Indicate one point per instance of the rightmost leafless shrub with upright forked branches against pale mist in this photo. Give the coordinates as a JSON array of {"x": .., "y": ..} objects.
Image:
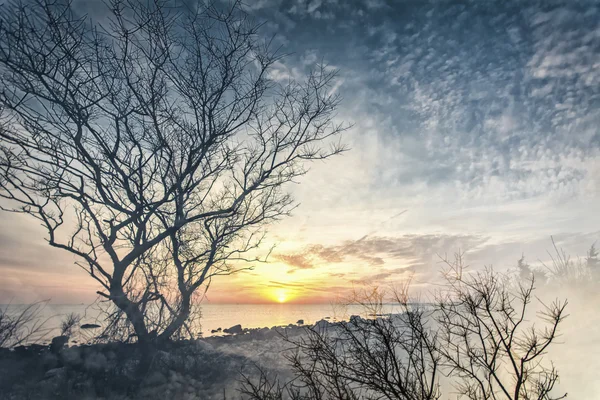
[{"x": 486, "y": 341}]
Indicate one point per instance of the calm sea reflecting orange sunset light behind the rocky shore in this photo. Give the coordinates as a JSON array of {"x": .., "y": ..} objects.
[{"x": 215, "y": 316}]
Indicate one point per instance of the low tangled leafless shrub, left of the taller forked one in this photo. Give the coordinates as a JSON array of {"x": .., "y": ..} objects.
[{"x": 390, "y": 357}]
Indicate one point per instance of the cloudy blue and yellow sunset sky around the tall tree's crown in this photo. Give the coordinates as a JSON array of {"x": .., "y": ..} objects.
[{"x": 475, "y": 129}]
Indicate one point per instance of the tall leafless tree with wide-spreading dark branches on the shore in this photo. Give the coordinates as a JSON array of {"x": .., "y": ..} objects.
[{"x": 153, "y": 145}]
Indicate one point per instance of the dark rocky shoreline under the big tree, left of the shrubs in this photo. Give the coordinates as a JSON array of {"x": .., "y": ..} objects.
[{"x": 206, "y": 368}]
